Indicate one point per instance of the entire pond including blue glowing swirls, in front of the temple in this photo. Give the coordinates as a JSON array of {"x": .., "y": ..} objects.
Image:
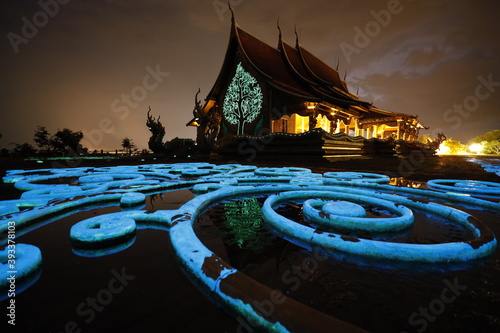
[{"x": 212, "y": 251}]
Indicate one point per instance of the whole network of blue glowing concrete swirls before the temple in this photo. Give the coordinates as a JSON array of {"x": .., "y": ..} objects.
[{"x": 334, "y": 204}]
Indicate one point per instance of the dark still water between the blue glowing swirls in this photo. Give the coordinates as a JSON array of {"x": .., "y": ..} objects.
[{"x": 143, "y": 288}]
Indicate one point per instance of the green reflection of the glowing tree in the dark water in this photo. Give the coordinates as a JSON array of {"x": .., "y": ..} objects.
[{"x": 244, "y": 224}]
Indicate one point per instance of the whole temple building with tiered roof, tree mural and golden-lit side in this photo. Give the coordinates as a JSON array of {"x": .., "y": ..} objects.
[{"x": 284, "y": 92}]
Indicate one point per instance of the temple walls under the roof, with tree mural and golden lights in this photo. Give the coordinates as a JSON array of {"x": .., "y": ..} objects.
[{"x": 250, "y": 106}]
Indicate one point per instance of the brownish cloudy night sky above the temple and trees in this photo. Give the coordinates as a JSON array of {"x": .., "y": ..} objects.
[{"x": 96, "y": 66}]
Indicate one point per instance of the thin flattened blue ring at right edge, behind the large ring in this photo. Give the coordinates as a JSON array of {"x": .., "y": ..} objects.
[{"x": 473, "y": 187}]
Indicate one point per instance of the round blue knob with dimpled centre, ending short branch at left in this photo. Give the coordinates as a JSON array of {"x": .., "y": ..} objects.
[{"x": 102, "y": 231}]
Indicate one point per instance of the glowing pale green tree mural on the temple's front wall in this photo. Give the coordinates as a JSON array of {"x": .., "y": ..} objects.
[{"x": 243, "y": 99}]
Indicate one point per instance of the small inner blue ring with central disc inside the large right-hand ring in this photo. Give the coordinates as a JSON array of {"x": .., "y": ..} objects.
[{"x": 351, "y": 216}]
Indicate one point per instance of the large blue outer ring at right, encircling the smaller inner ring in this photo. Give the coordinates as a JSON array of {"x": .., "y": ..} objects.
[{"x": 308, "y": 237}]
